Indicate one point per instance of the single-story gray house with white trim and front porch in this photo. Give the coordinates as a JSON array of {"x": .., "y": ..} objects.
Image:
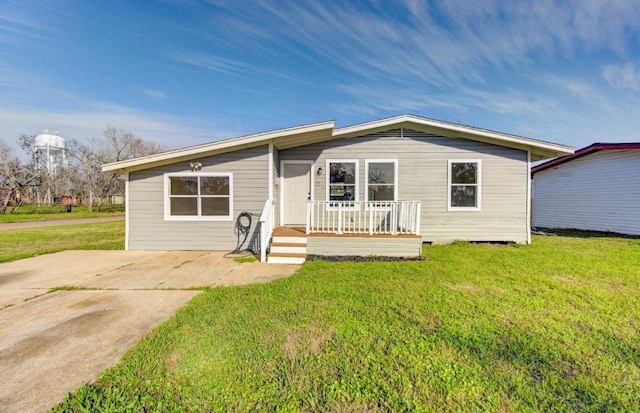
[{"x": 378, "y": 188}]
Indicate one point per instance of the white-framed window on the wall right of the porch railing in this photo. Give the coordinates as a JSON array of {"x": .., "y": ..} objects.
[{"x": 464, "y": 185}]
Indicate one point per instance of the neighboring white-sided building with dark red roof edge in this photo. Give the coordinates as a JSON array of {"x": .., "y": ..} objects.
[{"x": 597, "y": 189}]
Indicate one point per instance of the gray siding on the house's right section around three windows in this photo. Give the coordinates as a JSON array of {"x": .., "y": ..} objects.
[{"x": 423, "y": 168}]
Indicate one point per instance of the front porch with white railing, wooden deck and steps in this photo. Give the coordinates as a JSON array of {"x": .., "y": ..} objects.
[{"x": 345, "y": 228}]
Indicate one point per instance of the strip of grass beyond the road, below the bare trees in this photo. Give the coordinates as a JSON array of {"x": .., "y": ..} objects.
[{"x": 45, "y": 213}]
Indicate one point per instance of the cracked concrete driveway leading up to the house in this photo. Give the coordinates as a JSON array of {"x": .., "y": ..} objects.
[{"x": 52, "y": 342}]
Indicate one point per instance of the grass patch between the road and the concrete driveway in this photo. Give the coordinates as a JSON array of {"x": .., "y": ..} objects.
[{"x": 23, "y": 243}]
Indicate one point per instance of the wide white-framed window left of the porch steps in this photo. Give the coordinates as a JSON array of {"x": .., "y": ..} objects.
[{"x": 198, "y": 197}]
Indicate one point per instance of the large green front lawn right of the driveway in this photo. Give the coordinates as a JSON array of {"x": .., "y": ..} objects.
[{"x": 554, "y": 326}]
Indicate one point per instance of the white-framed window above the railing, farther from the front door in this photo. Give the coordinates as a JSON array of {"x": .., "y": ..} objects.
[{"x": 382, "y": 180}]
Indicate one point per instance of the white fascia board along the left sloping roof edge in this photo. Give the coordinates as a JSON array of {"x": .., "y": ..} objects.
[{"x": 226, "y": 145}]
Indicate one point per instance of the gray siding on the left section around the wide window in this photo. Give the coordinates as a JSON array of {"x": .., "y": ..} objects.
[{"x": 149, "y": 231}]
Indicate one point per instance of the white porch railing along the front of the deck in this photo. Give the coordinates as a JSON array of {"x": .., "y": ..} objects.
[{"x": 367, "y": 218}]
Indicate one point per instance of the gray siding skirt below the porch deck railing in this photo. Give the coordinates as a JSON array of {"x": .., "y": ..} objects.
[{"x": 364, "y": 246}]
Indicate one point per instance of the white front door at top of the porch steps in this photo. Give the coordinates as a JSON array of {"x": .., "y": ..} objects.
[{"x": 296, "y": 189}]
